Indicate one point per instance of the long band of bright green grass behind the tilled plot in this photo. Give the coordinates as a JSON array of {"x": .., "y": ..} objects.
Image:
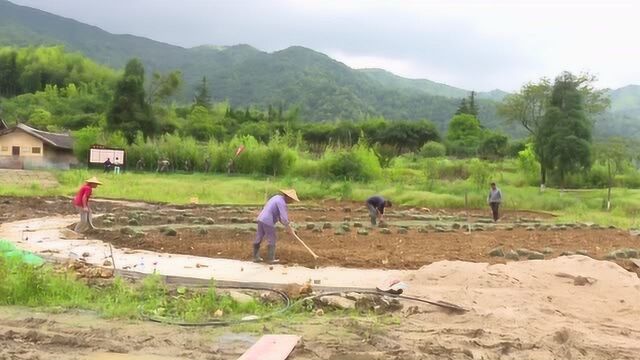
[{"x": 410, "y": 189}]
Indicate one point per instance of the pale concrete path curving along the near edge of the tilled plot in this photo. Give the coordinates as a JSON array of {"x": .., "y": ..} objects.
[{"x": 49, "y": 236}]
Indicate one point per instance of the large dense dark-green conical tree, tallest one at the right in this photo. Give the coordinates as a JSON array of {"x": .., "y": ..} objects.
[{"x": 565, "y": 136}]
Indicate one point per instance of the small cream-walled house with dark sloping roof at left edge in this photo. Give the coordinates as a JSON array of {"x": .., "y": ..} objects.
[{"x": 23, "y": 147}]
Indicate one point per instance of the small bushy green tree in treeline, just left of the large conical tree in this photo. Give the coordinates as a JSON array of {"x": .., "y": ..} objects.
[{"x": 464, "y": 135}]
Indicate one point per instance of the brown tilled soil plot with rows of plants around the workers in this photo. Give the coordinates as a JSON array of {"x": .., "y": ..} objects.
[{"x": 341, "y": 235}]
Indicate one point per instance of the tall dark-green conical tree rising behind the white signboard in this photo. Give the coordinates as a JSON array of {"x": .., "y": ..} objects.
[{"x": 129, "y": 111}]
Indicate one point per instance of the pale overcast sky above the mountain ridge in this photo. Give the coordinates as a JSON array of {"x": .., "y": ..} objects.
[{"x": 474, "y": 44}]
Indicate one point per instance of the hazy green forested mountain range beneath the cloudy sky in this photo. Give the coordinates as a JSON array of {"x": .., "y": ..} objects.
[{"x": 322, "y": 88}]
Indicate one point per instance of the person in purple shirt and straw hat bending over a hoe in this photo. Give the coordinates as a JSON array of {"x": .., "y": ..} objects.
[{"x": 274, "y": 210}]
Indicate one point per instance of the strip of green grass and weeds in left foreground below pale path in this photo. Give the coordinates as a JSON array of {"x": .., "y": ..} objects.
[{"x": 26, "y": 285}]
